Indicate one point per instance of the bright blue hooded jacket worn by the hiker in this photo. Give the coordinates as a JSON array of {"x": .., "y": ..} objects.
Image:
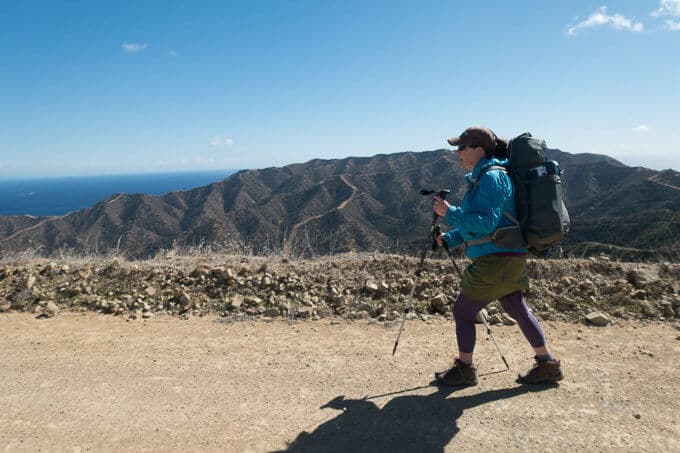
[{"x": 481, "y": 210}]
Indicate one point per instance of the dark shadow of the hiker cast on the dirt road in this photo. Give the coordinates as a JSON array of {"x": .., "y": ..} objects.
[{"x": 424, "y": 423}]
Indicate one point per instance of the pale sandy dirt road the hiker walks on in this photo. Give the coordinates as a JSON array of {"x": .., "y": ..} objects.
[{"x": 92, "y": 382}]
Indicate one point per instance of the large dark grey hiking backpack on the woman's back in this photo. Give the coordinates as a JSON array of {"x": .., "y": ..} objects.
[{"x": 542, "y": 215}]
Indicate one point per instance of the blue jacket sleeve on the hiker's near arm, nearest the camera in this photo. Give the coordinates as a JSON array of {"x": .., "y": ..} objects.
[{"x": 484, "y": 207}]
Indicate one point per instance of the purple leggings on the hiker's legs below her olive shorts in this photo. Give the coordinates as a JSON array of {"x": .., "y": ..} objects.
[{"x": 465, "y": 310}]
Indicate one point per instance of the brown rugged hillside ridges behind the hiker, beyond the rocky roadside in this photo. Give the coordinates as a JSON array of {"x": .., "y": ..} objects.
[{"x": 353, "y": 204}]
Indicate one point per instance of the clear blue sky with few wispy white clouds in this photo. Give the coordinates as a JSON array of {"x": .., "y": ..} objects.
[{"x": 91, "y": 87}]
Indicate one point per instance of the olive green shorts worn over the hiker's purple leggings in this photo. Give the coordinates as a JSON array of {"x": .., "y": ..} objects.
[{"x": 491, "y": 277}]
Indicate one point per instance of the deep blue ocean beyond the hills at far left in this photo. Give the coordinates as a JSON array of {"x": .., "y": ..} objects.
[{"x": 57, "y": 196}]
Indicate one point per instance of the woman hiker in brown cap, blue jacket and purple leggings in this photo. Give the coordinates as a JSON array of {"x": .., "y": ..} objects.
[{"x": 495, "y": 272}]
